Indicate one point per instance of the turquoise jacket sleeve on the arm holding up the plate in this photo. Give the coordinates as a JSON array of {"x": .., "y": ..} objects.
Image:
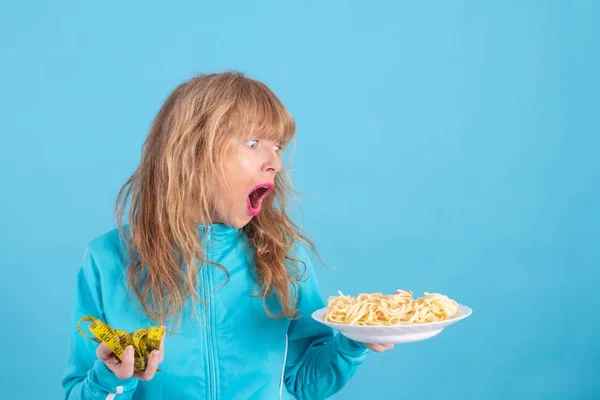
[{"x": 319, "y": 362}]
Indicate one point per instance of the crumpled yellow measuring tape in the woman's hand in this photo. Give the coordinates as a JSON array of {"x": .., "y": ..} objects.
[{"x": 143, "y": 340}]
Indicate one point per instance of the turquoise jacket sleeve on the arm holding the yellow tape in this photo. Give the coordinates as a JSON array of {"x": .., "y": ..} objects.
[{"x": 85, "y": 376}]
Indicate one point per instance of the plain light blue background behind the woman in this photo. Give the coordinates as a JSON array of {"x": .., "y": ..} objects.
[{"x": 442, "y": 146}]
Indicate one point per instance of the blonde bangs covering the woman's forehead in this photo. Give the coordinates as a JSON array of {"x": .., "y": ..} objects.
[{"x": 258, "y": 113}]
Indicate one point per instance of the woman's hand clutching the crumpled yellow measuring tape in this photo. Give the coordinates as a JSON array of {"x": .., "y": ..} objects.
[{"x": 124, "y": 369}]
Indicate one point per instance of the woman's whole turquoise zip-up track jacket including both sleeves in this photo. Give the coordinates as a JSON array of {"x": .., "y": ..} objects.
[{"x": 238, "y": 352}]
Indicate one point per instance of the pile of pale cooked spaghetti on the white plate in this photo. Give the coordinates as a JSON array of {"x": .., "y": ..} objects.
[{"x": 376, "y": 309}]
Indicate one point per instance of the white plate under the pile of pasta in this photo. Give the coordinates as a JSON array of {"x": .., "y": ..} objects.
[{"x": 393, "y": 334}]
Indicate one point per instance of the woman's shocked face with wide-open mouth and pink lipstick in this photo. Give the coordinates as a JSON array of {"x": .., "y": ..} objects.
[{"x": 250, "y": 167}]
